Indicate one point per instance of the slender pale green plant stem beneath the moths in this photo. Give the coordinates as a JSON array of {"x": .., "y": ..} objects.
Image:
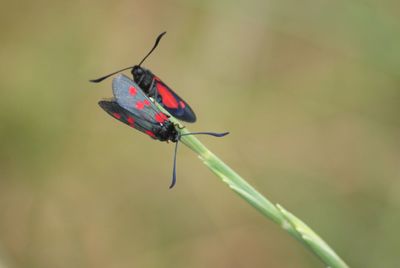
[{"x": 293, "y": 225}]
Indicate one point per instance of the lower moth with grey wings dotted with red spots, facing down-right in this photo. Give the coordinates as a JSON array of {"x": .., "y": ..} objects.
[{"x": 131, "y": 106}]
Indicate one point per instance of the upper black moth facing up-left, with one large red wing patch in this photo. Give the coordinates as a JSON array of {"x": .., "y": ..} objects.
[{"x": 158, "y": 90}]
